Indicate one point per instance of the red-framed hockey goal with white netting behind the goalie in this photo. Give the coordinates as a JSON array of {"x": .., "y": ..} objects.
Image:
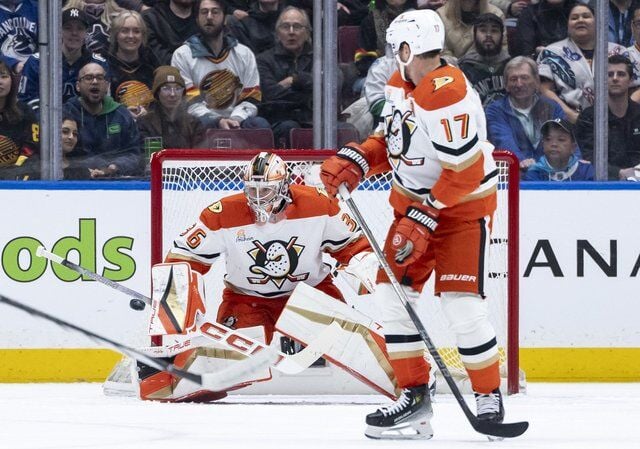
[{"x": 184, "y": 182}]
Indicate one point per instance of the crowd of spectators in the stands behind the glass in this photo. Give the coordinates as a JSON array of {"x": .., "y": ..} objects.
[{"x": 142, "y": 75}]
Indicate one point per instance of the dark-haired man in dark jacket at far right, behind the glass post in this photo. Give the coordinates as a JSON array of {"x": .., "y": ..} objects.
[{"x": 624, "y": 124}]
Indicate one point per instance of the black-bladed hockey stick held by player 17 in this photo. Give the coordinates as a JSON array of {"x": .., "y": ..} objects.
[{"x": 508, "y": 430}]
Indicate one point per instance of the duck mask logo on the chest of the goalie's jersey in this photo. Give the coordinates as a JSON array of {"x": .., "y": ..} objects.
[{"x": 276, "y": 261}]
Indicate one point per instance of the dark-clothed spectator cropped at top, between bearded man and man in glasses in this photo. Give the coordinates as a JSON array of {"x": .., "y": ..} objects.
[{"x": 256, "y": 31}]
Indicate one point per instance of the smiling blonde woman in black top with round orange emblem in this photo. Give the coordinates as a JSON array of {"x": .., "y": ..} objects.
[{"x": 131, "y": 62}]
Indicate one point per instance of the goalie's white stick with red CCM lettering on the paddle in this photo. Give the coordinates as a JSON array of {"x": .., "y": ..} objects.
[{"x": 287, "y": 364}]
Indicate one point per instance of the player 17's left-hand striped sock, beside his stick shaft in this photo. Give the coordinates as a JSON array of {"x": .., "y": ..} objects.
[{"x": 405, "y": 346}]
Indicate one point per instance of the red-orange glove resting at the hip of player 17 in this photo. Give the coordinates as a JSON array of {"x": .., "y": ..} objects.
[{"x": 413, "y": 232}]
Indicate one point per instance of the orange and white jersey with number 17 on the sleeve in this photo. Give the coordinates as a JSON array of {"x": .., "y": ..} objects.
[{"x": 433, "y": 137}]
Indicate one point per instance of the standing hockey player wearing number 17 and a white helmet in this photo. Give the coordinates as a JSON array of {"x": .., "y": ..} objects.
[{"x": 432, "y": 136}]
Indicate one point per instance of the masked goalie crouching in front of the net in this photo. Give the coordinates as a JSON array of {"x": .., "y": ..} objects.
[{"x": 273, "y": 236}]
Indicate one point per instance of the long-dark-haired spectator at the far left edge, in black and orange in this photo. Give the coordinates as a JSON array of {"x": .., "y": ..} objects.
[{"x": 19, "y": 130}]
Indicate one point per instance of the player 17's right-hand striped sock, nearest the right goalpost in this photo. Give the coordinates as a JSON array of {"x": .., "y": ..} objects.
[{"x": 467, "y": 315}]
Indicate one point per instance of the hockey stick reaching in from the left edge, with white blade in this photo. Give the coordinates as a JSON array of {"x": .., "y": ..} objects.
[{"x": 219, "y": 381}]
